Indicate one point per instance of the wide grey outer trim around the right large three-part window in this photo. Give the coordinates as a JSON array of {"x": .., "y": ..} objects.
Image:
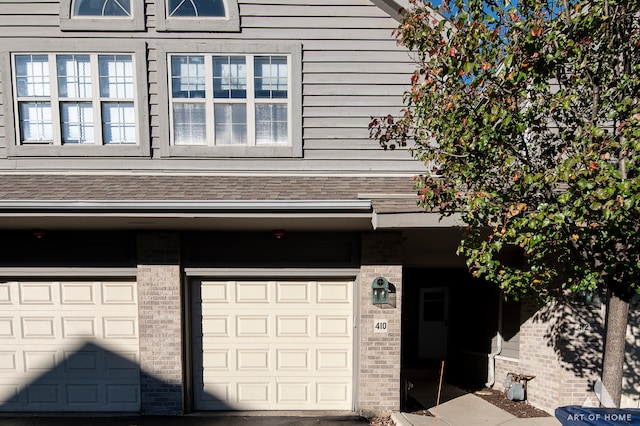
[{"x": 292, "y": 49}]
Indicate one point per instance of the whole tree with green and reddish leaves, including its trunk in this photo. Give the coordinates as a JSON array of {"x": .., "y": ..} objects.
[{"x": 527, "y": 117}]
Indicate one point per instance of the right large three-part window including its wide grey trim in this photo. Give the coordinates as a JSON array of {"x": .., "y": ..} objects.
[{"x": 231, "y": 99}]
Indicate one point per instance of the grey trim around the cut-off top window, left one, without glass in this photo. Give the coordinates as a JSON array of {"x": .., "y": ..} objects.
[{"x": 135, "y": 22}]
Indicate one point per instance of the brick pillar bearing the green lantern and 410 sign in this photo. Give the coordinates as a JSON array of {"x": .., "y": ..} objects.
[{"x": 379, "y": 388}]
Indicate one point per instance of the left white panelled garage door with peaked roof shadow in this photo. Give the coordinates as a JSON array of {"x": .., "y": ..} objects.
[{"x": 69, "y": 346}]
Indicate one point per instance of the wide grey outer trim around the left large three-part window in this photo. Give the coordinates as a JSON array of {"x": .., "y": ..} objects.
[{"x": 138, "y": 52}]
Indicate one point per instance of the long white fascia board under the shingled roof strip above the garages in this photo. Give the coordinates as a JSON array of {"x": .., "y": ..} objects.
[{"x": 245, "y": 206}]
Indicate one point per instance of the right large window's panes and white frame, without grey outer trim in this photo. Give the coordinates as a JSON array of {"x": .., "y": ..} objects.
[{"x": 230, "y": 100}]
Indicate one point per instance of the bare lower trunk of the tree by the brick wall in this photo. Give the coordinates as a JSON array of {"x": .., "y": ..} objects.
[{"x": 613, "y": 363}]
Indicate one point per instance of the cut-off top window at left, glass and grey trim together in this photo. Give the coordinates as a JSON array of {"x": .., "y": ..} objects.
[{"x": 102, "y": 15}]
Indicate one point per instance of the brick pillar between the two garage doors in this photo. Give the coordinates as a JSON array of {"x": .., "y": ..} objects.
[{"x": 159, "y": 299}]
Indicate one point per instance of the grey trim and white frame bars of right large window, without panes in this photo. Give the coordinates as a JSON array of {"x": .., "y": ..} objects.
[{"x": 294, "y": 108}]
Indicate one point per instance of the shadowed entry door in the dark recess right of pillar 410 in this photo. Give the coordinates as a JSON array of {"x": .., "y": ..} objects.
[{"x": 434, "y": 319}]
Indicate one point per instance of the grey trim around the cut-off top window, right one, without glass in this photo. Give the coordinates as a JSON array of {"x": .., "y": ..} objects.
[{"x": 230, "y": 23}]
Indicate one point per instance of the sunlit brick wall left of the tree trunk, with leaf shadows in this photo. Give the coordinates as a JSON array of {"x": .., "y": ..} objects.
[{"x": 561, "y": 344}]
